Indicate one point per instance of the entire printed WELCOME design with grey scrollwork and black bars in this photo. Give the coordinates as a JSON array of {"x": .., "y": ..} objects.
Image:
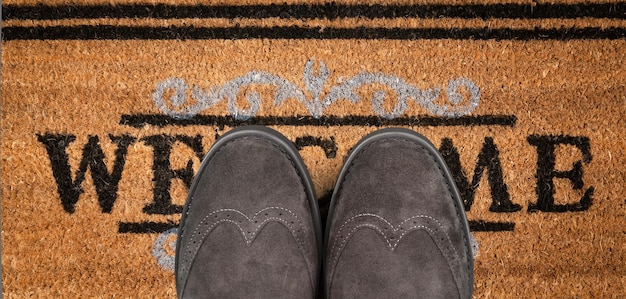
[{"x": 462, "y": 96}]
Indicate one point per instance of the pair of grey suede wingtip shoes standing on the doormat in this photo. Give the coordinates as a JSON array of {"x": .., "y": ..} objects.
[{"x": 251, "y": 226}]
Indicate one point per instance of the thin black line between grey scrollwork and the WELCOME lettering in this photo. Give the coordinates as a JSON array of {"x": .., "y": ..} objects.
[{"x": 161, "y": 120}]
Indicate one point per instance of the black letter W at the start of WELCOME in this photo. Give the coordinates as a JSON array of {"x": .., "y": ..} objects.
[{"x": 93, "y": 157}]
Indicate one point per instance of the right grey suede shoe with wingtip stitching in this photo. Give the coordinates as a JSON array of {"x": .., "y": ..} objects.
[{"x": 396, "y": 226}]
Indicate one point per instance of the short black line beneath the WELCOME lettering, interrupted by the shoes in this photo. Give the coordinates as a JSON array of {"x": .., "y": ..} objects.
[{"x": 148, "y": 227}]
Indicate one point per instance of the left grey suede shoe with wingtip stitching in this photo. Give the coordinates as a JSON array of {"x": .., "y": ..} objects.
[{"x": 250, "y": 227}]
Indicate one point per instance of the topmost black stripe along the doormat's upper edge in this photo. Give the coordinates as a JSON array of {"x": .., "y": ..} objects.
[{"x": 318, "y": 11}]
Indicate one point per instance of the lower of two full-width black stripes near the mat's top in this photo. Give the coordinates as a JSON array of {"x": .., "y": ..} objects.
[{"x": 108, "y": 32}]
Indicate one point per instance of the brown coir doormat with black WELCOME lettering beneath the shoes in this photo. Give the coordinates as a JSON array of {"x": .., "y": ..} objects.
[{"x": 108, "y": 108}]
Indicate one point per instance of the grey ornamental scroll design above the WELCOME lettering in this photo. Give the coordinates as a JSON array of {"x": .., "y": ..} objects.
[{"x": 312, "y": 96}]
